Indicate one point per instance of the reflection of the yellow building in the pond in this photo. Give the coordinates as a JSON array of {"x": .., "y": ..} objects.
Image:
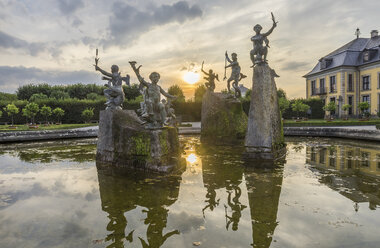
[{"x": 352, "y": 169}]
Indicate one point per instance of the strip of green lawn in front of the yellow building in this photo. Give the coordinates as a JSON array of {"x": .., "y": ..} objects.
[{"x": 336, "y": 122}]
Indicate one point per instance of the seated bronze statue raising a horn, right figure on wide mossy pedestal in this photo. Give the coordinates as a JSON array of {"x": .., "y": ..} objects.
[{"x": 155, "y": 112}]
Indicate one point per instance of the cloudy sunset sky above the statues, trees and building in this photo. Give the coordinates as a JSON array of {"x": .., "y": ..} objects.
[{"x": 55, "y": 41}]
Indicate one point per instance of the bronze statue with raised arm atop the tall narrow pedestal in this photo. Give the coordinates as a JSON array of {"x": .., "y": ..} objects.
[{"x": 260, "y": 51}]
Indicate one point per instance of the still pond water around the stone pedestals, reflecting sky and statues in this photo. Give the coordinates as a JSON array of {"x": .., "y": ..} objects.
[{"x": 325, "y": 194}]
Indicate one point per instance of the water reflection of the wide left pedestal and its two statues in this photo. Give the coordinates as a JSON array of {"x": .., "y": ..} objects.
[{"x": 122, "y": 194}]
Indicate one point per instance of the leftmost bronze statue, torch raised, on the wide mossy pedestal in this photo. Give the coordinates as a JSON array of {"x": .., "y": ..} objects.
[{"x": 114, "y": 92}]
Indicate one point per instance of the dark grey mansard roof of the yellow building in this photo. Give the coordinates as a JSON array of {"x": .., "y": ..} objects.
[{"x": 351, "y": 54}]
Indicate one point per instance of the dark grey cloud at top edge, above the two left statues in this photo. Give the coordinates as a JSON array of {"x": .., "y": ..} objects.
[{"x": 127, "y": 23}]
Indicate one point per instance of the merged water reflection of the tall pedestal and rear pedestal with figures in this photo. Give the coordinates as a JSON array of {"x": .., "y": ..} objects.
[{"x": 223, "y": 168}]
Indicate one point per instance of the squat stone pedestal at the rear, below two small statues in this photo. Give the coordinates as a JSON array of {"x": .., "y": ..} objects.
[{"x": 223, "y": 119}]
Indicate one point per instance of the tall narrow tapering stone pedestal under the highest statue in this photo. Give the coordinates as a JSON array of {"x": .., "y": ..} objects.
[{"x": 264, "y": 138}]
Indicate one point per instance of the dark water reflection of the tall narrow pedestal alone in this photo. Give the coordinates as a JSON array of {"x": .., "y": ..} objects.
[{"x": 264, "y": 188}]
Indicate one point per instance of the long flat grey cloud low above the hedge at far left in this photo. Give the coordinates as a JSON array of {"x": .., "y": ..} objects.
[{"x": 13, "y": 77}]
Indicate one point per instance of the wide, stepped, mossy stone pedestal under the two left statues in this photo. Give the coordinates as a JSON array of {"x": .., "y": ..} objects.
[{"x": 123, "y": 142}]
